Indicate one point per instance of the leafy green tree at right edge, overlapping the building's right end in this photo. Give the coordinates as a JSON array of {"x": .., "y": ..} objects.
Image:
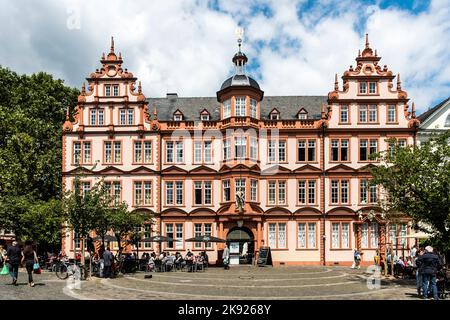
[{"x": 417, "y": 181}]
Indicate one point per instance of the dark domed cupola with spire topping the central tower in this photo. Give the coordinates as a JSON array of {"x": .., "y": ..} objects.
[{"x": 240, "y": 80}]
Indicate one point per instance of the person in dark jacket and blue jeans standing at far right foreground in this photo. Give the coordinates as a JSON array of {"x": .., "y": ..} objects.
[{"x": 429, "y": 266}]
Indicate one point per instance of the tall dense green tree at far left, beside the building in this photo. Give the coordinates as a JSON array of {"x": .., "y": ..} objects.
[{"x": 32, "y": 110}]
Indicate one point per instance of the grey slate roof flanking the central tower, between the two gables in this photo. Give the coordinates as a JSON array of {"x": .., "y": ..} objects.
[{"x": 288, "y": 106}]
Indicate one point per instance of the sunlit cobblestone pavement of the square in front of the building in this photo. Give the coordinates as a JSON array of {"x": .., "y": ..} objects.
[{"x": 215, "y": 283}]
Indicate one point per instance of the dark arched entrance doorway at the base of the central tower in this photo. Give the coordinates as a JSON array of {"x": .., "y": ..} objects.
[{"x": 241, "y": 243}]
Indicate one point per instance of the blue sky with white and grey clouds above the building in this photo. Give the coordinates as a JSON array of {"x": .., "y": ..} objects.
[{"x": 295, "y": 47}]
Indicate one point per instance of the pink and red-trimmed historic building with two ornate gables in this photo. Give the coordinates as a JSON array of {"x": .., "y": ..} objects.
[{"x": 289, "y": 172}]
